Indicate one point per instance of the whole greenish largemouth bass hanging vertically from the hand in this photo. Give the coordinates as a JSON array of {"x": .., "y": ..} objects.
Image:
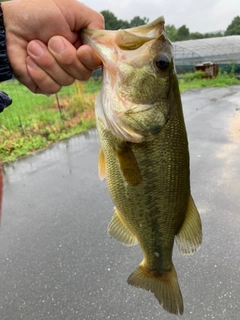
[{"x": 144, "y": 154}]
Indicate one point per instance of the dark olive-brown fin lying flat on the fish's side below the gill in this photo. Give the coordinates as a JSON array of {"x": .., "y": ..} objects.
[{"x": 128, "y": 164}]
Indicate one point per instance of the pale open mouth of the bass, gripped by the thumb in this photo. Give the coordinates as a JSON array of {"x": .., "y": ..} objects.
[{"x": 104, "y": 41}]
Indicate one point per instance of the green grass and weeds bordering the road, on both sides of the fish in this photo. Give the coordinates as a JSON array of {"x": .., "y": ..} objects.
[{"x": 34, "y": 121}]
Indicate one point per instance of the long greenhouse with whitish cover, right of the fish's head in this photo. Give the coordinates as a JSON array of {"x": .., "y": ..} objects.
[{"x": 222, "y": 50}]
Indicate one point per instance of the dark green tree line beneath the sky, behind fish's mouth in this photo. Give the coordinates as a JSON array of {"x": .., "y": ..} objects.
[{"x": 174, "y": 34}]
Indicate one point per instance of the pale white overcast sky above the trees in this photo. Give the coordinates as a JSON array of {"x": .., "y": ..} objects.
[{"x": 198, "y": 15}]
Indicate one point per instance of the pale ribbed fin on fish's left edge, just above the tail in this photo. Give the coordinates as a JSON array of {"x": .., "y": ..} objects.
[{"x": 120, "y": 232}]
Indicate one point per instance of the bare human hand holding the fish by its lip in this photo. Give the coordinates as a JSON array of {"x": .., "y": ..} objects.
[{"x": 43, "y": 43}]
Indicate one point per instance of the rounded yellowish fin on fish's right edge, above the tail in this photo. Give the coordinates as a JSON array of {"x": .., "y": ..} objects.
[{"x": 189, "y": 237}]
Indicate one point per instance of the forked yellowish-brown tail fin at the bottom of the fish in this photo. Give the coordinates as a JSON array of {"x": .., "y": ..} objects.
[{"x": 164, "y": 286}]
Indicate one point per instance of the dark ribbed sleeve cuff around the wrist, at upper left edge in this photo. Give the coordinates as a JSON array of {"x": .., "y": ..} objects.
[{"x": 5, "y": 67}]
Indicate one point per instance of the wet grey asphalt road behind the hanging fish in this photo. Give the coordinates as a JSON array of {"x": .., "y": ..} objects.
[{"x": 57, "y": 261}]
